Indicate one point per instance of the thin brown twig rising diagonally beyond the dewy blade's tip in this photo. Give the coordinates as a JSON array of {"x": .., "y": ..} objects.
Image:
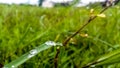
[{"x": 91, "y": 18}]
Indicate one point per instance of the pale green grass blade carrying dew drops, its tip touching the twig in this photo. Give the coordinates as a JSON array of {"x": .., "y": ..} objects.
[{"x": 31, "y": 54}]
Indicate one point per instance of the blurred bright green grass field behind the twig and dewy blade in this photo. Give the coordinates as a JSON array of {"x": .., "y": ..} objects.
[{"x": 22, "y": 28}]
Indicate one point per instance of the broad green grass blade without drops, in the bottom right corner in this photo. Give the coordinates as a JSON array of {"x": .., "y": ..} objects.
[{"x": 107, "y": 59}]
